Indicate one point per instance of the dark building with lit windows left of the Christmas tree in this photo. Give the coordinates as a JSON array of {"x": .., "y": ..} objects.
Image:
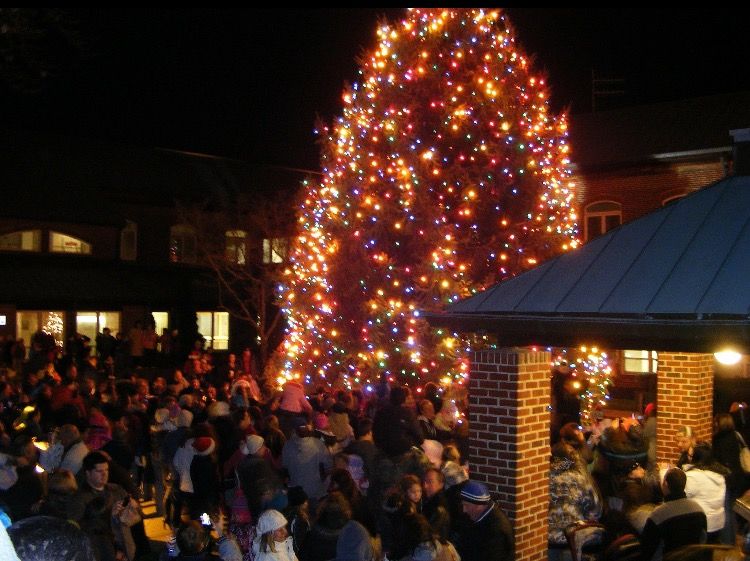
[{"x": 92, "y": 236}]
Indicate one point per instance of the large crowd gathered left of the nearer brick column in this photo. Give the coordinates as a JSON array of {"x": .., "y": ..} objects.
[{"x": 238, "y": 468}]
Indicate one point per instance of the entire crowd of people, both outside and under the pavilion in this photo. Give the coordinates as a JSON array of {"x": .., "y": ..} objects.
[{"x": 240, "y": 469}]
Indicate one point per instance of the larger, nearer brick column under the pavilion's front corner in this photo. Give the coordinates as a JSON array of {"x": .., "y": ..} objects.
[{"x": 509, "y": 397}]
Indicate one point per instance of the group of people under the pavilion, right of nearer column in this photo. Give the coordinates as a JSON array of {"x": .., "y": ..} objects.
[{"x": 607, "y": 484}]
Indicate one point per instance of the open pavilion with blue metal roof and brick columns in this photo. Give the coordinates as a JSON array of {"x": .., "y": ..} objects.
[{"x": 673, "y": 281}]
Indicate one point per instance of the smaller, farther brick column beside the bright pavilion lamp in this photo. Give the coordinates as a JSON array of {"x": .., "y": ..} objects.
[{"x": 685, "y": 389}]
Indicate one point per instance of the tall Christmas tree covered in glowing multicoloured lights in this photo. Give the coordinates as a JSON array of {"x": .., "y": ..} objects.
[{"x": 445, "y": 173}]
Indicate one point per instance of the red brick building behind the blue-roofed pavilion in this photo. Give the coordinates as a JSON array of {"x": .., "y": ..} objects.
[{"x": 634, "y": 160}]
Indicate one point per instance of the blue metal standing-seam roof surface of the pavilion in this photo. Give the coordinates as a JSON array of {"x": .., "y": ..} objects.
[{"x": 691, "y": 258}]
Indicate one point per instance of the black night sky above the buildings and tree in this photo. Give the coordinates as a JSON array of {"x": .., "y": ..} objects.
[{"x": 249, "y": 84}]
